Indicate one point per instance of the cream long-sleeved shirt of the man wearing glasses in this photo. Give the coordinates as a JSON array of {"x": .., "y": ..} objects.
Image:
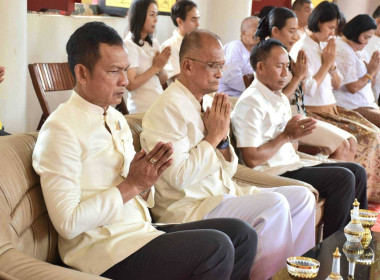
[{"x": 199, "y": 177}]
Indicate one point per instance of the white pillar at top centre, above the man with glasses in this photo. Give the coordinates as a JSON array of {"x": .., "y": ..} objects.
[{"x": 224, "y": 17}]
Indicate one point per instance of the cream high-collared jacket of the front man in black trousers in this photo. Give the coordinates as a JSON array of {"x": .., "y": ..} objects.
[{"x": 80, "y": 164}]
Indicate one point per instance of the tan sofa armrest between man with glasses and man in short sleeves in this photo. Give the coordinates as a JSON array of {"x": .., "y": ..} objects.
[{"x": 248, "y": 176}]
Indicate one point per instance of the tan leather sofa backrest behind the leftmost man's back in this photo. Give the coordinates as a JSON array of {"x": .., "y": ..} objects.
[{"x": 24, "y": 221}]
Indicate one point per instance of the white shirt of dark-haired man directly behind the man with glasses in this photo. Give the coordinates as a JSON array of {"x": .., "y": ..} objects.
[{"x": 172, "y": 67}]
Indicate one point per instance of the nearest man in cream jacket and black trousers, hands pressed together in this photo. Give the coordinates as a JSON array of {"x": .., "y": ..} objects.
[{"x": 98, "y": 190}]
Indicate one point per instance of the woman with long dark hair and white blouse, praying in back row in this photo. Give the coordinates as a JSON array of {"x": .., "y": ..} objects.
[{"x": 145, "y": 74}]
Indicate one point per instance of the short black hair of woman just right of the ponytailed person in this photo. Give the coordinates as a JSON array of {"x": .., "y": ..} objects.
[{"x": 324, "y": 12}]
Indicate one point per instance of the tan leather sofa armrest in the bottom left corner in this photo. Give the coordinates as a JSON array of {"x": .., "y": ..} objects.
[{"x": 18, "y": 265}]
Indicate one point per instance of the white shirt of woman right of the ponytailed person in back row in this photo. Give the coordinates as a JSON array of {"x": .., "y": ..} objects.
[{"x": 313, "y": 95}]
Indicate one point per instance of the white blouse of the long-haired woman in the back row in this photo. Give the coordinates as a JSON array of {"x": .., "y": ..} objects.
[{"x": 141, "y": 58}]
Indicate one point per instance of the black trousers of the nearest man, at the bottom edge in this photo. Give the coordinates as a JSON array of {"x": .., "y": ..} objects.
[{"x": 209, "y": 249}]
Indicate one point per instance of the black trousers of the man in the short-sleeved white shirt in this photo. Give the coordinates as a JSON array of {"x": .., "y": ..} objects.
[{"x": 340, "y": 183}]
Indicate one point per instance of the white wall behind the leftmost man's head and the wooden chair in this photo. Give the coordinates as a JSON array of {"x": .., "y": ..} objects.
[{"x": 47, "y": 38}]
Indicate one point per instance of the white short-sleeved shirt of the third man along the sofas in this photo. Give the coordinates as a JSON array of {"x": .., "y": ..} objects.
[{"x": 259, "y": 116}]
